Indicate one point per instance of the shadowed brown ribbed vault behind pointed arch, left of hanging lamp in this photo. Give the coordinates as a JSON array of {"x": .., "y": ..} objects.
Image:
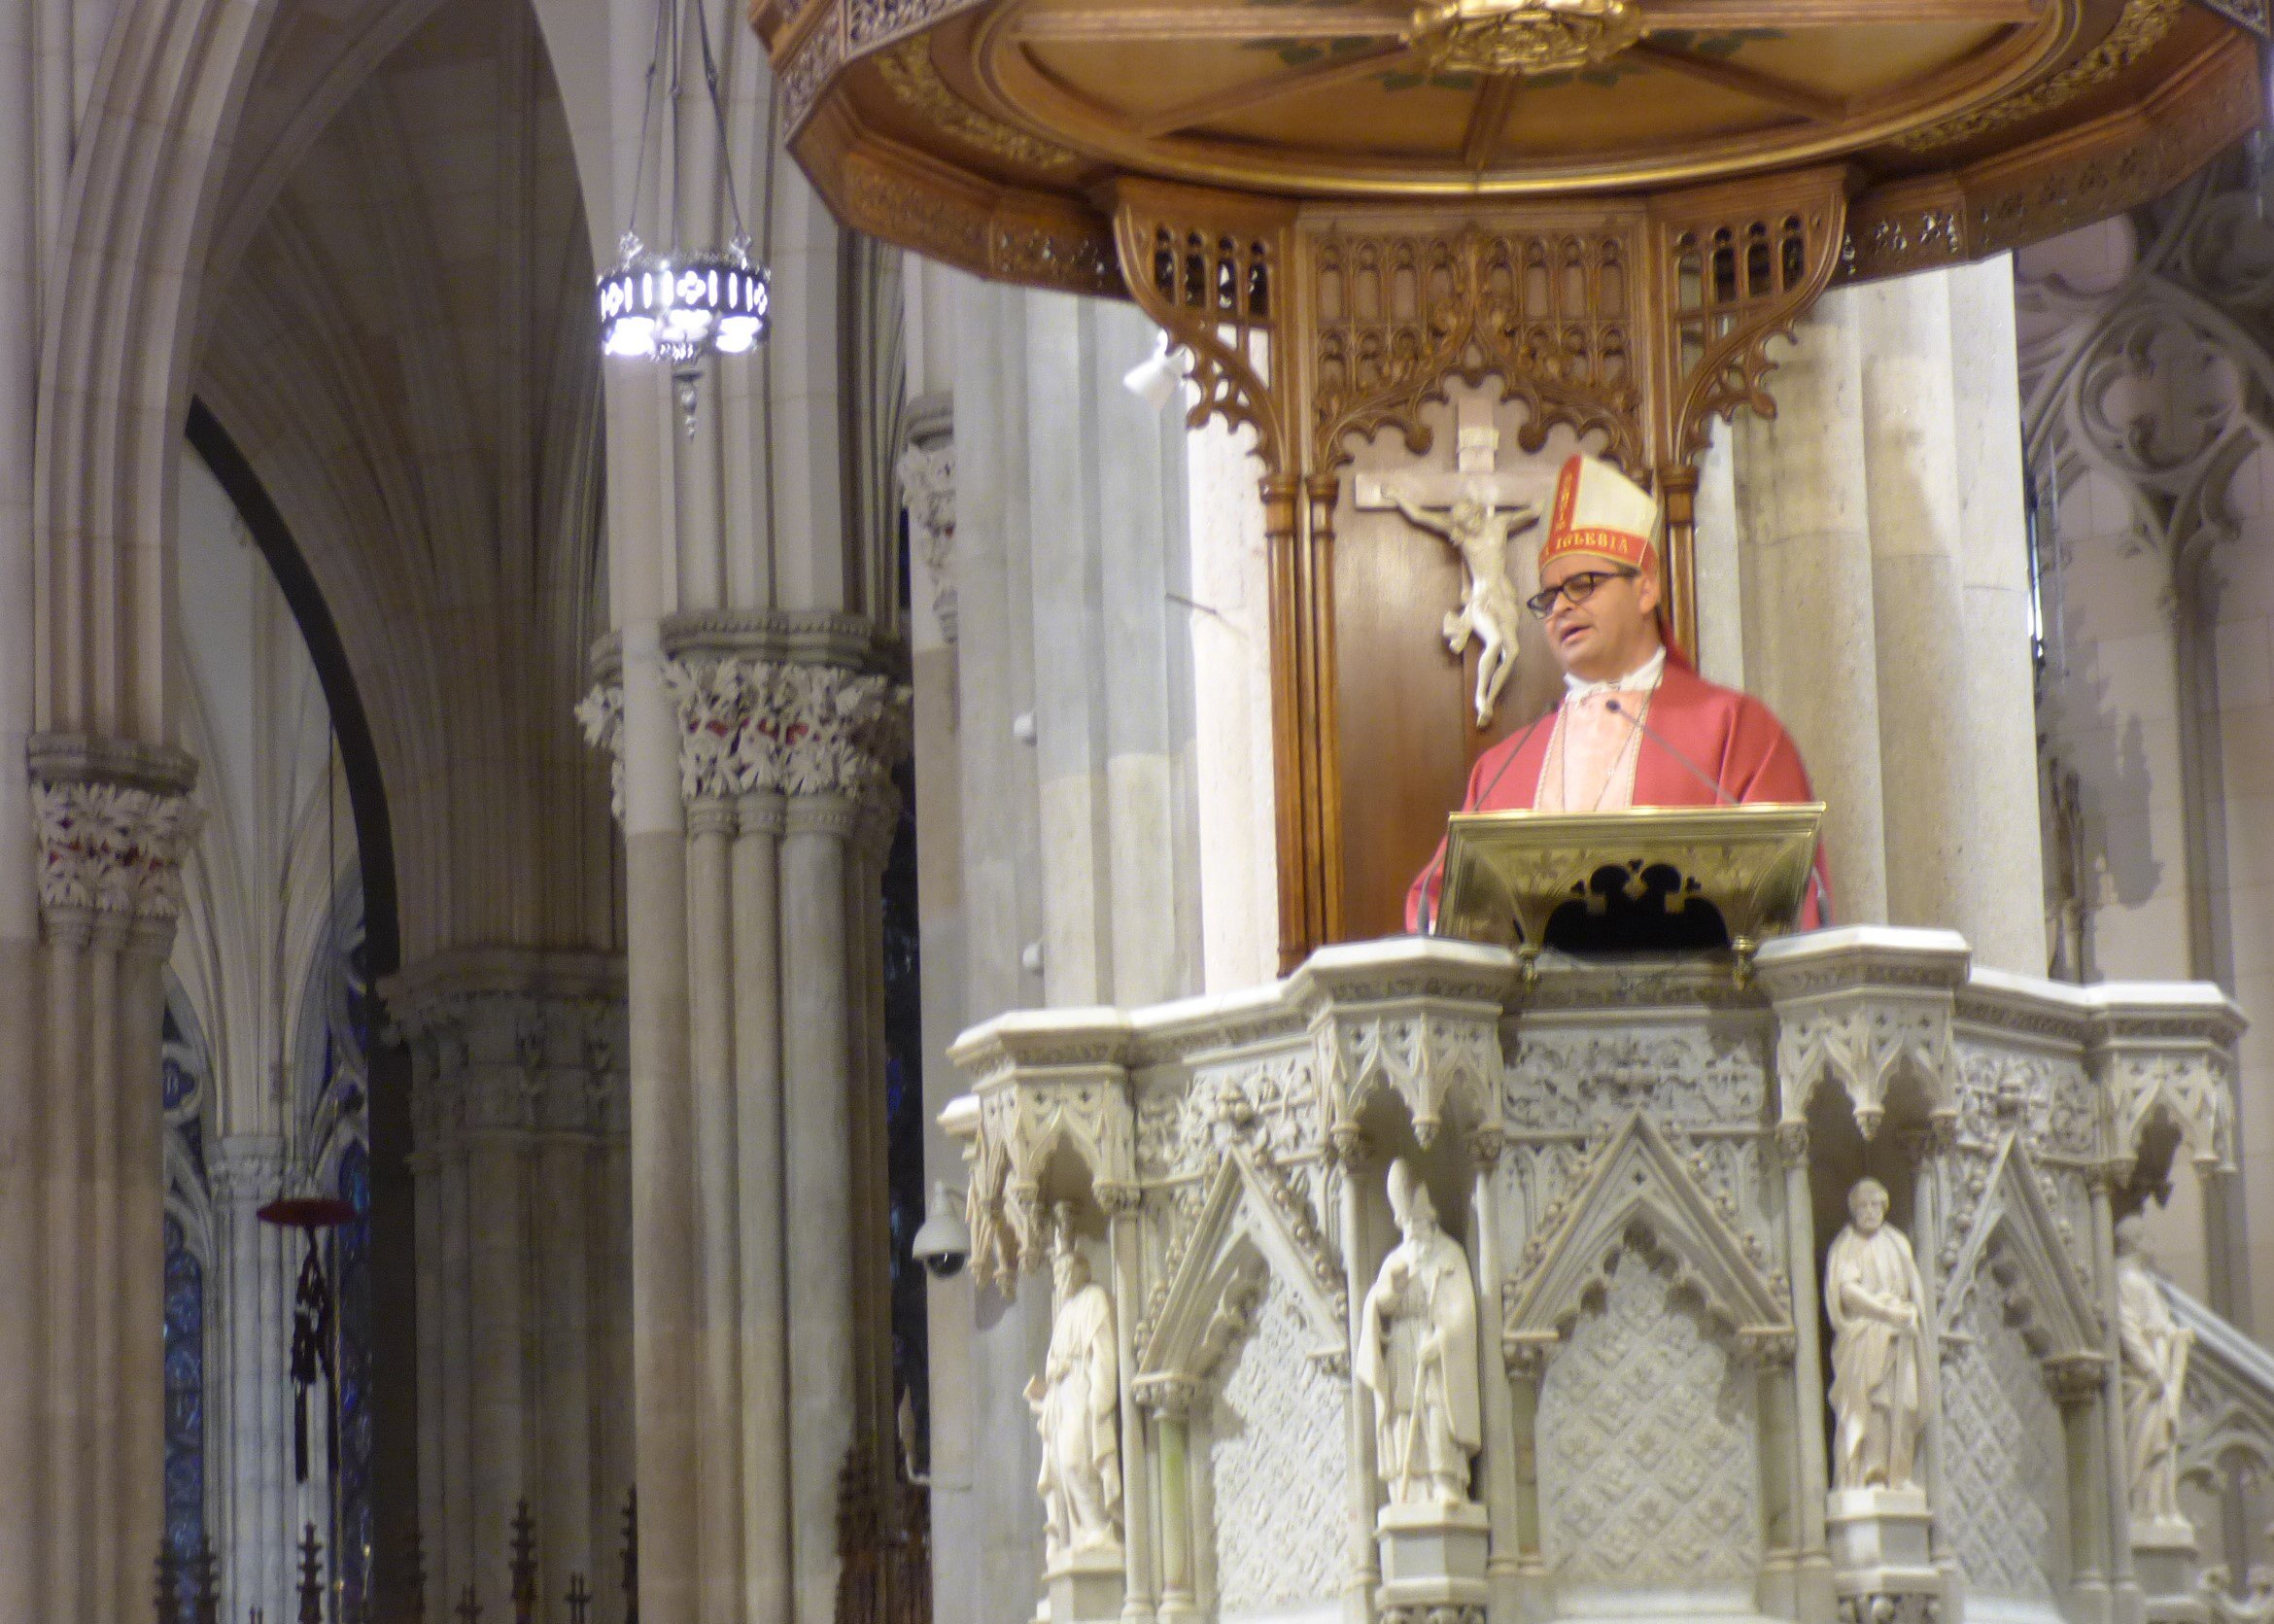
[{"x": 397, "y": 331}]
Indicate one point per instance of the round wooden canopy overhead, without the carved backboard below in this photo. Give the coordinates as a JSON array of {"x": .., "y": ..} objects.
[{"x": 988, "y": 133}]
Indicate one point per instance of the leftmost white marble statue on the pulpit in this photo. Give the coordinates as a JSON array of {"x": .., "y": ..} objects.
[{"x": 1079, "y": 1411}]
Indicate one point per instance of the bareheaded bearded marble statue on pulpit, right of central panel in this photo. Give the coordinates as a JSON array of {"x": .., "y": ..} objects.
[{"x": 1875, "y": 1300}]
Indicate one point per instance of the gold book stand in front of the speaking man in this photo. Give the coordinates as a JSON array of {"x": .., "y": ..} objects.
[{"x": 1641, "y": 881}]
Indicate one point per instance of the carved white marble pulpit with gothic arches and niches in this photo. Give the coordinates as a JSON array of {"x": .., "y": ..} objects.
[{"x": 1572, "y": 1359}]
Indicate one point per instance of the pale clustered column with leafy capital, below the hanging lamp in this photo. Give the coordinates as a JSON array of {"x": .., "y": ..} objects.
[{"x": 758, "y": 1136}]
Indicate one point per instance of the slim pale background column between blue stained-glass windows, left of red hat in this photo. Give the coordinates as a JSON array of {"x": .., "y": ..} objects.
[{"x": 251, "y": 1379}]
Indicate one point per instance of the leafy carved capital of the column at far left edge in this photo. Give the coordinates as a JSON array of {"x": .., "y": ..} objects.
[{"x": 113, "y": 850}]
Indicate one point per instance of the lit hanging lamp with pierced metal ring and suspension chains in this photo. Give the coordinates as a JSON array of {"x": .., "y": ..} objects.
[{"x": 683, "y": 306}]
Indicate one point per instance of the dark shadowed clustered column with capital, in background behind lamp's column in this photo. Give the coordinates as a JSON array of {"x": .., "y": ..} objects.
[{"x": 524, "y": 1243}]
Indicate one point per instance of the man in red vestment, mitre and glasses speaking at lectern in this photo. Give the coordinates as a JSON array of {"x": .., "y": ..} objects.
[{"x": 1636, "y": 727}]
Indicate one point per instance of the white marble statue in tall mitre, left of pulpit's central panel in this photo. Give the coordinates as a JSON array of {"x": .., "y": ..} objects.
[{"x": 1418, "y": 1354}]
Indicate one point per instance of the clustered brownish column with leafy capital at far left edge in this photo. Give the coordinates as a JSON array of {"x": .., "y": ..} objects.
[{"x": 83, "y": 1184}]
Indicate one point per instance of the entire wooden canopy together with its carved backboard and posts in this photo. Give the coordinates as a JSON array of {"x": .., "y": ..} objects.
[{"x": 1604, "y": 208}]
